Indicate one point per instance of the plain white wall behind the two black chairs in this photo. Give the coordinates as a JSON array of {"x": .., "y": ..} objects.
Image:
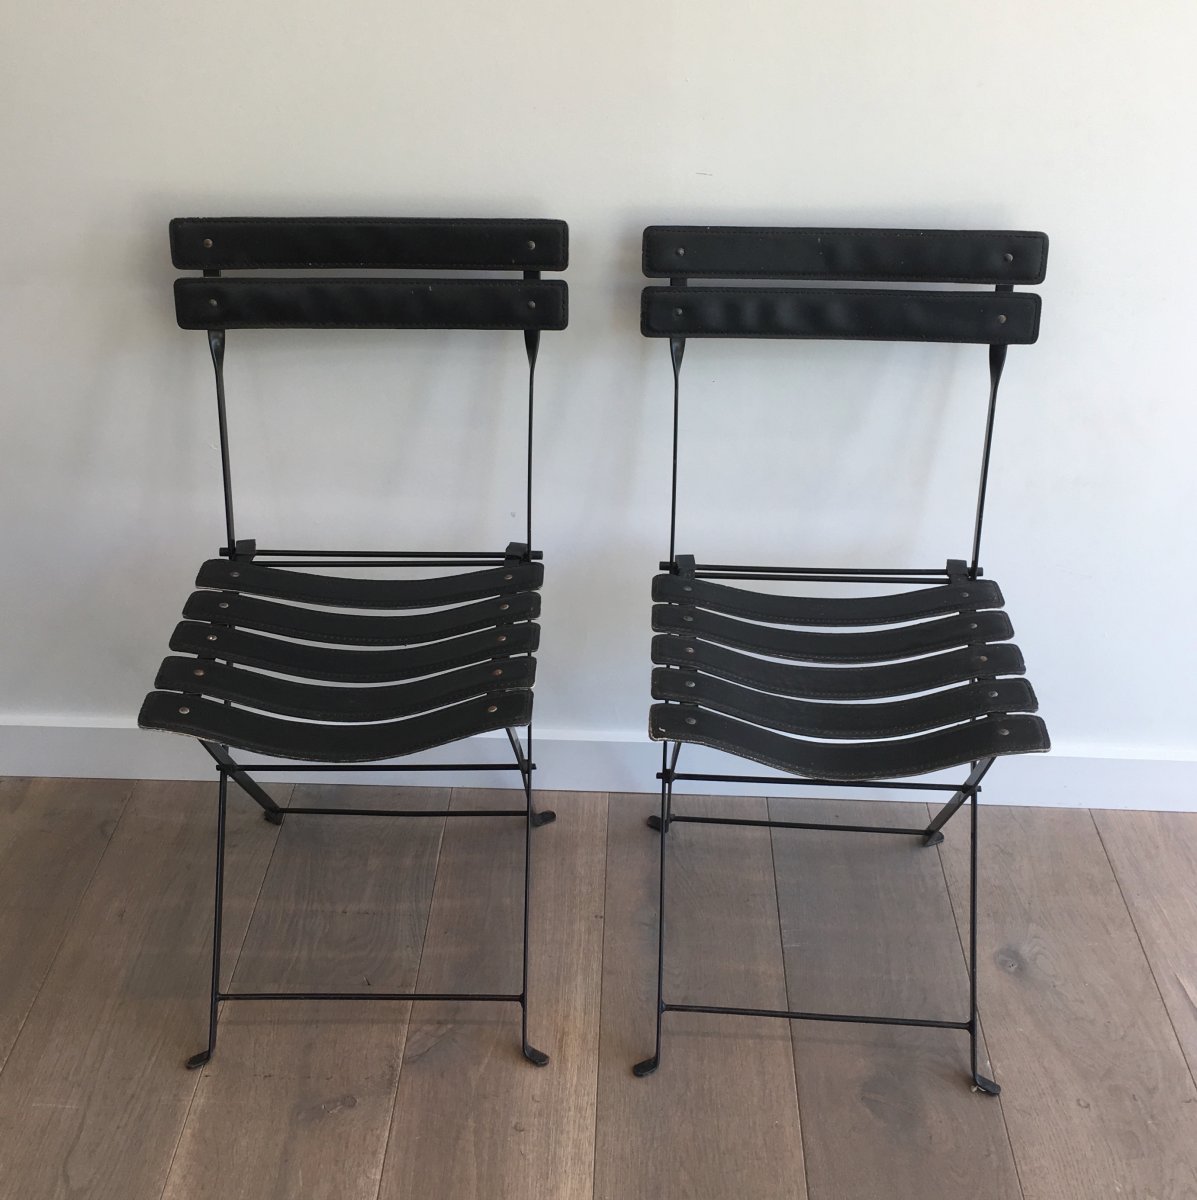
[{"x": 1073, "y": 118}]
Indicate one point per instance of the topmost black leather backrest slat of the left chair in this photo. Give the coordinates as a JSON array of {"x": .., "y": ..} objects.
[{"x": 368, "y": 243}]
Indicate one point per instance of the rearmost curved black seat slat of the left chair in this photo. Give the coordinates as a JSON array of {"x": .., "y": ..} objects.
[{"x": 339, "y": 592}]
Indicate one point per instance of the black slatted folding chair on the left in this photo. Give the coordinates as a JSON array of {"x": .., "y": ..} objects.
[{"x": 332, "y": 671}]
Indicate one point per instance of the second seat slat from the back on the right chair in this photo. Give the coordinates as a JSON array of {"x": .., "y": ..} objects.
[{"x": 900, "y": 643}]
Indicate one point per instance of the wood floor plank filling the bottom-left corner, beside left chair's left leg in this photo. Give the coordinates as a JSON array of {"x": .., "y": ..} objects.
[{"x": 95, "y": 1093}]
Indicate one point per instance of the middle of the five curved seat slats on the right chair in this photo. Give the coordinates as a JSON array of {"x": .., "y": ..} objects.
[{"x": 841, "y": 683}]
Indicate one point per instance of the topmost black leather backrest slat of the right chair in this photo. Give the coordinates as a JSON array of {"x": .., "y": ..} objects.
[{"x": 909, "y": 256}]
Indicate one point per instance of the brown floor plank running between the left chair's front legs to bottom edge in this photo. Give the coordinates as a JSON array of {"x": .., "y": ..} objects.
[{"x": 298, "y": 1100}]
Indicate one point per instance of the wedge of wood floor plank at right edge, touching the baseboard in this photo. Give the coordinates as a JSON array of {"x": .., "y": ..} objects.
[{"x": 1154, "y": 856}]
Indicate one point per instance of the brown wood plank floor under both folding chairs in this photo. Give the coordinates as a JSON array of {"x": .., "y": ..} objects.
[{"x": 1088, "y": 1004}]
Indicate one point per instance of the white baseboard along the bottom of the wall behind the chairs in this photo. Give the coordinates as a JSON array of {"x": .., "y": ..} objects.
[{"x": 618, "y": 763}]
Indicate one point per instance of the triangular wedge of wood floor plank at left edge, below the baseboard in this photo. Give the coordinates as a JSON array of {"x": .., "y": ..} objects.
[{"x": 53, "y": 833}]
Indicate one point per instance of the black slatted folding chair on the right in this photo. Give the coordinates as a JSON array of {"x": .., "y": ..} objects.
[{"x": 851, "y": 691}]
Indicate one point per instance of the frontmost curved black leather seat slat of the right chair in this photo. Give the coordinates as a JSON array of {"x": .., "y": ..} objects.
[{"x": 877, "y": 760}]
